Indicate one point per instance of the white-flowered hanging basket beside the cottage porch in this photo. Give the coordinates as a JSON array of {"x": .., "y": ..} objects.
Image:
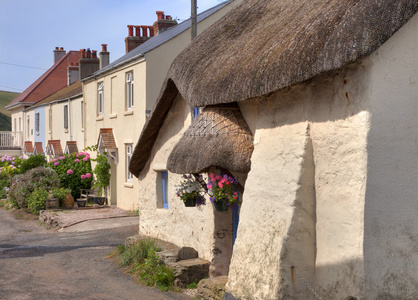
[{"x": 191, "y": 189}]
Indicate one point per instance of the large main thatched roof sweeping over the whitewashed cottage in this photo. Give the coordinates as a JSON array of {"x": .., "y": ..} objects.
[{"x": 263, "y": 46}]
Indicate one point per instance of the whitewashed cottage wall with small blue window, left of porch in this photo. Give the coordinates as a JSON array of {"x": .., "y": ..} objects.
[{"x": 182, "y": 226}]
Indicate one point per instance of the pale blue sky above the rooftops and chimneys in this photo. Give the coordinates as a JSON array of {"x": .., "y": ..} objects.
[{"x": 31, "y": 29}]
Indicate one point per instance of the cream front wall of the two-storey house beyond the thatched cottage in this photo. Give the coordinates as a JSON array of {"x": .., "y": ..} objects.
[{"x": 126, "y": 125}]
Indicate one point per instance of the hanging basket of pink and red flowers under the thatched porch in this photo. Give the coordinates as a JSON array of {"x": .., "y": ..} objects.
[{"x": 222, "y": 191}]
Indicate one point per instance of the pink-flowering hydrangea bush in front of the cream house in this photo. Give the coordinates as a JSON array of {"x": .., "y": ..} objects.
[{"x": 72, "y": 170}]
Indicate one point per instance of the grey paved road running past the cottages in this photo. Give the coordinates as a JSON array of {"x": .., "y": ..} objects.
[{"x": 36, "y": 263}]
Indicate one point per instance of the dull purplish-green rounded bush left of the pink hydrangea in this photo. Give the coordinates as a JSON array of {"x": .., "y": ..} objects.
[{"x": 25, "y": 184}]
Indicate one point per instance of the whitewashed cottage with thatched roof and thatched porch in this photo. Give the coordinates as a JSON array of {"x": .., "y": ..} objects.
[{"x": 327, "y": 92}]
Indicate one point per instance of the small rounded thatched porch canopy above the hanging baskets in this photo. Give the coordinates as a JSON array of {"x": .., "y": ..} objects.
[{"x": 220, "y": 137}]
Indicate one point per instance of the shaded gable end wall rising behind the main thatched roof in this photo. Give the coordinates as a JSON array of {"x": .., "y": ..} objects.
[{"x": 160, "y": 59}]
